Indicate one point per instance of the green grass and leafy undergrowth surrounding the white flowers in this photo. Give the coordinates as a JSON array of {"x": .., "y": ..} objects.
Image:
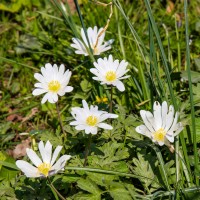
[{"x": 163, "y": 56}]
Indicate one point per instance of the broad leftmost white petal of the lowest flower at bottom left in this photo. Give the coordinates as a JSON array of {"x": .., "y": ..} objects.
[{"x": 27, "y": 168}]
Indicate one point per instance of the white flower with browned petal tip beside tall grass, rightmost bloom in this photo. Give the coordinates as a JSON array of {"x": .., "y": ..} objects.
[{"x": 161, "y": 126}]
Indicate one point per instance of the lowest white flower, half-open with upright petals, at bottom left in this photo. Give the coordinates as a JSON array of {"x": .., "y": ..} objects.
[{"x": 43, "y": 167}]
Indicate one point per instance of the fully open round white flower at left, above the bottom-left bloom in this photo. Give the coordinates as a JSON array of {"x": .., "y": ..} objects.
[{"x": 53, "y": 81}]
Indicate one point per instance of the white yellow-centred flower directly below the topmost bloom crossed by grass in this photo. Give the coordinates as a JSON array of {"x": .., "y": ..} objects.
[{"x": 110, "y": 72}]
